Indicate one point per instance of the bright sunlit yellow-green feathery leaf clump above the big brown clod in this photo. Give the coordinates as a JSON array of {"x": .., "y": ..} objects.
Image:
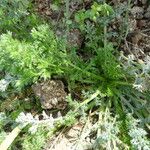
[{"x": 40, "y": 57}]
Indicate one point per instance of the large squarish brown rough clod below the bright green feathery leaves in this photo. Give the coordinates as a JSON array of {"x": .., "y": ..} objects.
[{"x": 51, "y": 94}]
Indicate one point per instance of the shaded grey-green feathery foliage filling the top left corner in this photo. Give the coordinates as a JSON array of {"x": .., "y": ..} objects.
[{"x": 16, "y": 16}]
